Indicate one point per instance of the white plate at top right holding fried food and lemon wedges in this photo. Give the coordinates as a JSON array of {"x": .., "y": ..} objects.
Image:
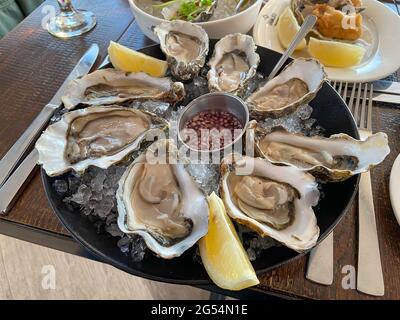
[{"x": 382, "y": 27}]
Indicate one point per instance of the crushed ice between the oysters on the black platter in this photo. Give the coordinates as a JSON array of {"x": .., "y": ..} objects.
[{"x": 94, "y": 191}]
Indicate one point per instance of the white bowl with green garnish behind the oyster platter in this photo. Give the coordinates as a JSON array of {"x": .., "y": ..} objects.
[{"x": 238, "y": 23}]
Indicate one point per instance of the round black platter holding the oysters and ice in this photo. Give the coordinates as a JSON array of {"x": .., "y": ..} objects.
[{"x": 330, "y": 112}]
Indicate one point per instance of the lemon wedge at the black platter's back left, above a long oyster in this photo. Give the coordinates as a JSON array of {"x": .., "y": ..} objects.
[{"x": 129, "y": 60}]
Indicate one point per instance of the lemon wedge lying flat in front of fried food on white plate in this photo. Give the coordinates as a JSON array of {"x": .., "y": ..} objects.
[{"x": 336, "y": 54}]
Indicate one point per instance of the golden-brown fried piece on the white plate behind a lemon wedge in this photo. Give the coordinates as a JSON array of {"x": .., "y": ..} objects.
[{"x": 336, "y": 24}]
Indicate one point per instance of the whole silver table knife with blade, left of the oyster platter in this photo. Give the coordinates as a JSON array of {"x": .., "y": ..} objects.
[{"x": 18, "y": 150}]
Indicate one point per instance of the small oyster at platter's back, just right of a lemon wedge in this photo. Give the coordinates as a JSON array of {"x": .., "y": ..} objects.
[{"x": 185, "y": 45}]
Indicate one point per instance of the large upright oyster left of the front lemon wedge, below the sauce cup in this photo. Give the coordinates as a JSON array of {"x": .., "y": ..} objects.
[{"x": 160, "y": 201}]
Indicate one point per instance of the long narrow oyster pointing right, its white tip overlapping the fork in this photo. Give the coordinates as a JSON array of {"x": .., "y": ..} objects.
[{"x": 332, "y": 159}]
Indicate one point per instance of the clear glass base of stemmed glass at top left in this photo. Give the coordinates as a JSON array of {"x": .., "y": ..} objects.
[{"x": 70, "y": 22}]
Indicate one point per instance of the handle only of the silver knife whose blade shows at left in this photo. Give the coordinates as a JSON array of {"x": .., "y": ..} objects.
[{"x": 17, "y": 151}]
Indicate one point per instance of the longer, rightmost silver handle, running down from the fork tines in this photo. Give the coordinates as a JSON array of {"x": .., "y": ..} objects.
[{"x": 369, "y": 275}]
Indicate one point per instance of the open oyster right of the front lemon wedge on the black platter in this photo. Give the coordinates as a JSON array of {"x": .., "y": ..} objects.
[{"x": 274, "y": 201}]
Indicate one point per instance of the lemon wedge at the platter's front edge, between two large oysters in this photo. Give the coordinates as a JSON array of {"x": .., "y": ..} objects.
[{"x": 222, "y": 252}]
